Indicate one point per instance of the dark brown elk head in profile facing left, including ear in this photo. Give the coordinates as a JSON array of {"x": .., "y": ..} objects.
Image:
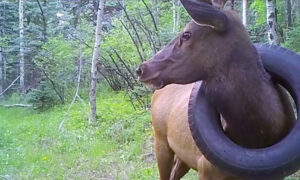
[{"x": 194, "y": 54}]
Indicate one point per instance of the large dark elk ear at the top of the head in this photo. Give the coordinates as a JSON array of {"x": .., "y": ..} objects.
[{"x": 204, "y": 13}]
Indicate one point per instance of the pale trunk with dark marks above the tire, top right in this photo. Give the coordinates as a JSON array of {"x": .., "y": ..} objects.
[{"x": 271, "y": 22}]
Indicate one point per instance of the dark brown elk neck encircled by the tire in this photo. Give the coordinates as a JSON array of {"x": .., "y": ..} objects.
[{"x": 247, "y": 99}]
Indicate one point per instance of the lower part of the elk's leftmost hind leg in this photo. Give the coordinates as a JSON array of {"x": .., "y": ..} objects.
[{"x": 164, "y": 156}]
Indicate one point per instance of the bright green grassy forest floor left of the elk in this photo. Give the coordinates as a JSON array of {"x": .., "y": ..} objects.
[{"x": 119, "y": 146}]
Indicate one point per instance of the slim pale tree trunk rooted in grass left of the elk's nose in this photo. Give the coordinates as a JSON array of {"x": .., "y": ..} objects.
[{"x": 93, "y": 88}]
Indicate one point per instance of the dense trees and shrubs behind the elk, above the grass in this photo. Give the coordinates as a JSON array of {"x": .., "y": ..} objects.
[{"x": 42, "y": 43}]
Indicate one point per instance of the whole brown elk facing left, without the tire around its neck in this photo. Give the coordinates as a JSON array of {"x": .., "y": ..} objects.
[{"x": 214, "y": 48}]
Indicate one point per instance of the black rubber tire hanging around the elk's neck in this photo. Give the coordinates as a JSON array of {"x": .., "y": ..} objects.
[{"x": 275, "y": 162}]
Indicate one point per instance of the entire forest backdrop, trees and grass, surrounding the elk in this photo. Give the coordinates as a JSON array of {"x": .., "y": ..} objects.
[{"x": 47, "y": 130}]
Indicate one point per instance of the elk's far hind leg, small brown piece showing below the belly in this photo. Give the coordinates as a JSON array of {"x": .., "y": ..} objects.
[{"x": 179, "y": 169}]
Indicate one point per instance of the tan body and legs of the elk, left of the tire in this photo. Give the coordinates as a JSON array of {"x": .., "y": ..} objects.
[{"x": 172, "y": 136}]
